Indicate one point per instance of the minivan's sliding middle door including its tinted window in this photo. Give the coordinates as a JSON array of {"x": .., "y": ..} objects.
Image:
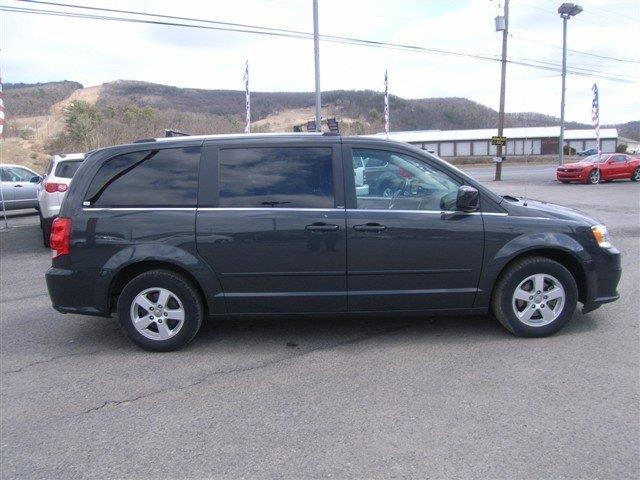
[{"x": 271, "y": 223}]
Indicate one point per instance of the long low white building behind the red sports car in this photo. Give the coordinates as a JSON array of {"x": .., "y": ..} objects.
[{"x": 520, "y": 141}]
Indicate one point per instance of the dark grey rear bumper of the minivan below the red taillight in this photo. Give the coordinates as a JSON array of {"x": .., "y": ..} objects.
[{"x": 72, "y": 291}]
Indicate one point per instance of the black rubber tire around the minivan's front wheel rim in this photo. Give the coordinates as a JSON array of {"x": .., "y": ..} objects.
[{"x": 510, "y": 279}]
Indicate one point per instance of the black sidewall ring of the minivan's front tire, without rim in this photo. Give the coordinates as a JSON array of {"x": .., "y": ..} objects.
[{"x": 513, "y": 280}]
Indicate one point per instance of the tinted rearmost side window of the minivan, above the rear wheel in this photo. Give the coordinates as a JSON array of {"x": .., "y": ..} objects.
[{"x": 149, "y": 178}]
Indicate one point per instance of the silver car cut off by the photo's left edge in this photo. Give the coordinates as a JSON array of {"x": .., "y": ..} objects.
[{"x": 18, "y": 187}]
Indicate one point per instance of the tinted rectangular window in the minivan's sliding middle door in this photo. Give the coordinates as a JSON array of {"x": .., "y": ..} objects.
[{"x": 276, "y": 177}]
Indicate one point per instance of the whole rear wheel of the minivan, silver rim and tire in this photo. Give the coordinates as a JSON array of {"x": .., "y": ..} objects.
[{"x": 160, "y": 310}]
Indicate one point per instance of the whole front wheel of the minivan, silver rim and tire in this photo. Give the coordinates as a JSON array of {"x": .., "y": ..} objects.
[{"x": 535, "y": 297}]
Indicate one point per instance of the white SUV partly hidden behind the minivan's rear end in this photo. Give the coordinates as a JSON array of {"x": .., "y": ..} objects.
[{"x": 53, "y": 188}]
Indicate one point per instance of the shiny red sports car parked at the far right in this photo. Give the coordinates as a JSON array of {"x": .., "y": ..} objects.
[{"x": 597, "y": 168}]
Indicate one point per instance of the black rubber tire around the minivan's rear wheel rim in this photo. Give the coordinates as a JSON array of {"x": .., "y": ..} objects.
[{"x": 182, "y": 289}]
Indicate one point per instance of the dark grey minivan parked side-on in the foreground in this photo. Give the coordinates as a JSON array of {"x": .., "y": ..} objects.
[{"x": 166, "y": 233}]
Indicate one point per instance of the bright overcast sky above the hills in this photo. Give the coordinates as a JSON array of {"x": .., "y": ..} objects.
[{"x": 39, "y": 48}]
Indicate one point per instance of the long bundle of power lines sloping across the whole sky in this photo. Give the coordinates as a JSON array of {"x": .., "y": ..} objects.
[{"x": 254, "y": 29}]
